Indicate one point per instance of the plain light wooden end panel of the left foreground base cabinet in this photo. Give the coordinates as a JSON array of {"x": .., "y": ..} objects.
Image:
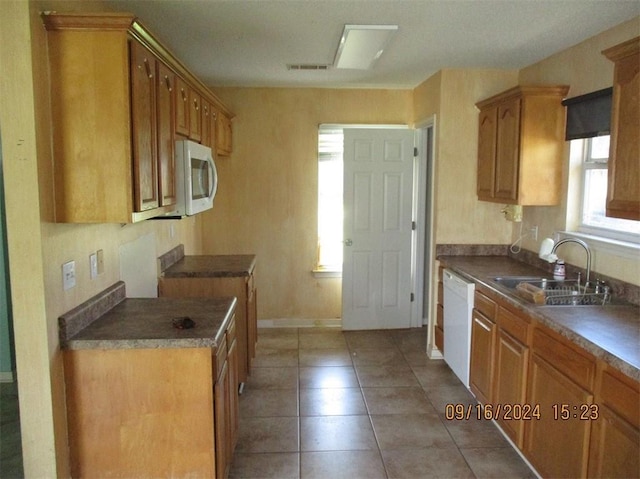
[{"x": 120, "y": 402}]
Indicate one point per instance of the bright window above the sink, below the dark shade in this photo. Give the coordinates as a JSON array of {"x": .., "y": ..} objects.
[{"x": 594, "y": 195}]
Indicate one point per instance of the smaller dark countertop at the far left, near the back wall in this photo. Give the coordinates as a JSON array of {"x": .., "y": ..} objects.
[{"x": 174, "y": 264}]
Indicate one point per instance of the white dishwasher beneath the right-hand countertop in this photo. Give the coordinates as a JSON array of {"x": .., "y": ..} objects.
[{"x": 458, "y": 306}]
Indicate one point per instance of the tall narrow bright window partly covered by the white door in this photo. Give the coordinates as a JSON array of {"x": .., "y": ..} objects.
[{"x": 330, "y": 148}]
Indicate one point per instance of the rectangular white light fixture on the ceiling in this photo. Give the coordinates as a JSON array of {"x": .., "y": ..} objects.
[{"x": 361, "y": 45}]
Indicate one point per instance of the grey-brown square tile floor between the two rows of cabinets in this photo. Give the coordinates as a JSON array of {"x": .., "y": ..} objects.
[{"x": 322, "y": 403}]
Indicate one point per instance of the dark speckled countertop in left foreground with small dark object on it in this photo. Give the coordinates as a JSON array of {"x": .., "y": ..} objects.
[{"x": 144, "y": 322}]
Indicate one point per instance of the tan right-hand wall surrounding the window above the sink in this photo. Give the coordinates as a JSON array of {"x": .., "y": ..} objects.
[{"x": 585, "y": 69}]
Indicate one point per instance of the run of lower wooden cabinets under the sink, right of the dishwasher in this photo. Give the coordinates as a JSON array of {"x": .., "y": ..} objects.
[{"x": 586, "y": 421}]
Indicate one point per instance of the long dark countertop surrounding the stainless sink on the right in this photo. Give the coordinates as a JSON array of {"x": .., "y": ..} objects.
[{"x": 611, "y": 332}]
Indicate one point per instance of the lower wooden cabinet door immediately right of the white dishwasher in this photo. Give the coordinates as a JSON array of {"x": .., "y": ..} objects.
[{"x": 483, "y": 338}]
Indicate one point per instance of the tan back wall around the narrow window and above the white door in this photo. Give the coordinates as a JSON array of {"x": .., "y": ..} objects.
[{"x": 267, "y": 201}]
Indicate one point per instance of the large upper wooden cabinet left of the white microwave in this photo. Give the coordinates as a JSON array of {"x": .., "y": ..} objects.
[{"x": 116, "y": 108}]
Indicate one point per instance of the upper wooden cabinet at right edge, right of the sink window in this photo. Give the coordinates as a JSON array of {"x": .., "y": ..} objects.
[{"x": 623, "y": 193}]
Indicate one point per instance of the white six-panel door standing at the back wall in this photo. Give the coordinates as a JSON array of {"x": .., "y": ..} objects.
[{"x": 378, "y": 189}]
